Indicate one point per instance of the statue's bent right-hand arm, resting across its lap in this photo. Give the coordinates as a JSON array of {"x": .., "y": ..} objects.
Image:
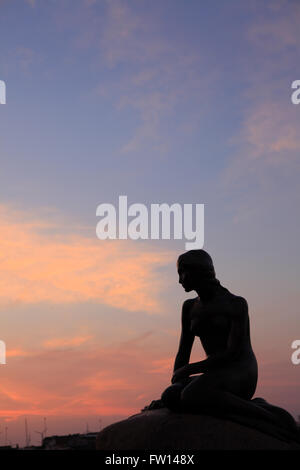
[{"x": 236, "y": 340}]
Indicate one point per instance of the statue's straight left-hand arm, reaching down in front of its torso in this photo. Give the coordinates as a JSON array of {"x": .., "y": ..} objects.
[{"x": 186, "y": 338}]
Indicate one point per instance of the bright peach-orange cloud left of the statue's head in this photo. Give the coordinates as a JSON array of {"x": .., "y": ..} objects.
[{"x": 38, "y": 266}]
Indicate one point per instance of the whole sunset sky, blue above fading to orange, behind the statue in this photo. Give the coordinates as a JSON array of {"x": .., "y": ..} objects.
[{"x": 165, "y": 102}]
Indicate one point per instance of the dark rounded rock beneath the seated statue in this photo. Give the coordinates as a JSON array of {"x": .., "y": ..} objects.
[{"x": 163, "y": 429}]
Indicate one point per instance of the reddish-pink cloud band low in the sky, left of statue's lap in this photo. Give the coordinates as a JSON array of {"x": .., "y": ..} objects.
[{"x": 92, "y": 380}]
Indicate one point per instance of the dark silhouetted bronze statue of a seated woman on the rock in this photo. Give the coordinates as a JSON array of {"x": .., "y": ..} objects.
[{"x": 228, "y": 376}]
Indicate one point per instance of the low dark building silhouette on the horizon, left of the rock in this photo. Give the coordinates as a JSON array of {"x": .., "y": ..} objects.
[{"x": 71, "y": 442}]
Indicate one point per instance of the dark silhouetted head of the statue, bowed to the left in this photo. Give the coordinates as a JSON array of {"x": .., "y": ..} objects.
[{"x": 195, "y": 269}]
